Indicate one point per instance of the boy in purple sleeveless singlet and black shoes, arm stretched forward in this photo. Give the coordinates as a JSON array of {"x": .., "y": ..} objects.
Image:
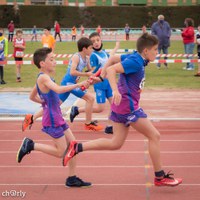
[{"x": 46, "y": 93}]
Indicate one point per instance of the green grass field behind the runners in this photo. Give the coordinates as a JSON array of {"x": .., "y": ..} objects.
[{"x": 174, "y": 77}]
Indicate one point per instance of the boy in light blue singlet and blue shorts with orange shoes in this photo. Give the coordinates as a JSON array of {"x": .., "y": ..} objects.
[{"x": 75, "y": 69}]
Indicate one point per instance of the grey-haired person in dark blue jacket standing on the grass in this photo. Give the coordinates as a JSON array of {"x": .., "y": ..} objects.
[{"x": 162, "y": 30}]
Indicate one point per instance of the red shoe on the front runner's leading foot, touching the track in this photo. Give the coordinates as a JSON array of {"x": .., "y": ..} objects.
[{"x": 167, "y": 180}]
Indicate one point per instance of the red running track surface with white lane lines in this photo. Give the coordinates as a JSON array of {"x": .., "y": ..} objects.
[{"x": 124, "y": 174}]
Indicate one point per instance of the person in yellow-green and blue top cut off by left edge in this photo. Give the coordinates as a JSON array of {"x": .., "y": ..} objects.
[{"x": 3, "y": 53}]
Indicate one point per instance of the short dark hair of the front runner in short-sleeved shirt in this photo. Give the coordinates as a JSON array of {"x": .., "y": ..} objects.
[{"x": 146, "y": 40}]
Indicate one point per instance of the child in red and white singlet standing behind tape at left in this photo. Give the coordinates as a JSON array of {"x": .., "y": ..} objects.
[{"x": 19, "y": 47}]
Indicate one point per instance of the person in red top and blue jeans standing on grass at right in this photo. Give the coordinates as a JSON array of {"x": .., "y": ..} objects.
[{"x": 188, "y": 36}]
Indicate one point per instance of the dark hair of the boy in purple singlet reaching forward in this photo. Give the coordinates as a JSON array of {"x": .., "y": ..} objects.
[{"x": 40, "y": 55}]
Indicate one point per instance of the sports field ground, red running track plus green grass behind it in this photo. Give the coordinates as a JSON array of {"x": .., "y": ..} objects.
[{"x": 171, "y": 100}]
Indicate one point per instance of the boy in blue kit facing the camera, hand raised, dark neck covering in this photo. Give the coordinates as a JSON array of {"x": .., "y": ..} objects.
[{"x": 102, "y": 89}]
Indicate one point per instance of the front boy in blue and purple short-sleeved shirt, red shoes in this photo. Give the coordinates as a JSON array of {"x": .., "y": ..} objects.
[{"x": 125, "y": 107}]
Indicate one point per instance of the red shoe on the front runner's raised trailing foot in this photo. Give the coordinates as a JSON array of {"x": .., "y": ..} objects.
[{"x": 70, "y": 152}]
